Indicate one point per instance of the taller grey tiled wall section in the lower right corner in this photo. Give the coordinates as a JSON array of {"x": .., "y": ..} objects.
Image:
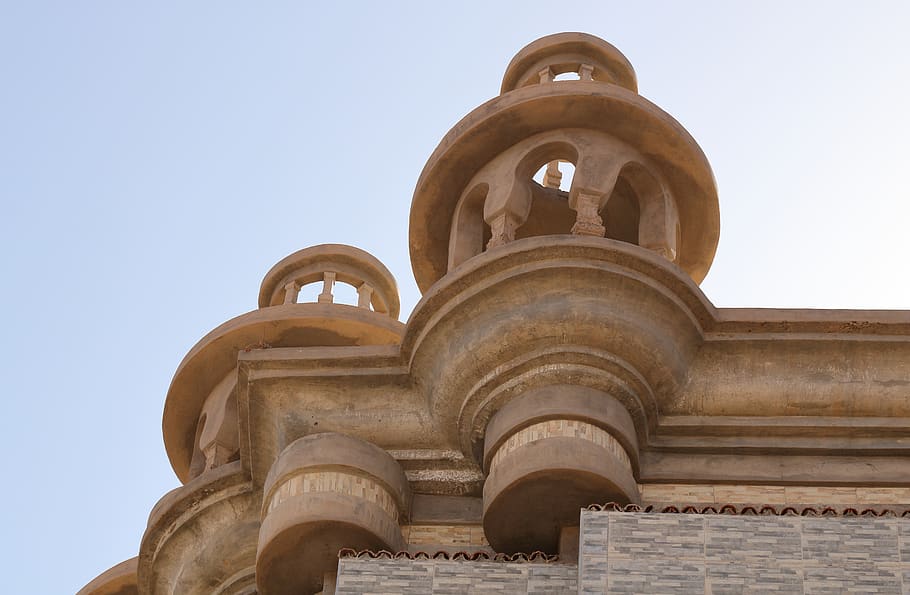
[{"x": 631, "y": 552}]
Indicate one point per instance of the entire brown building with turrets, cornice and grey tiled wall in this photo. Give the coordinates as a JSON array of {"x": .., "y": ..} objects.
[{"x": 564, "y": 411}]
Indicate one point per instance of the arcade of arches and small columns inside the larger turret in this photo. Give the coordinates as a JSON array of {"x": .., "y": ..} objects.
[{"x": 614, "y": 193}]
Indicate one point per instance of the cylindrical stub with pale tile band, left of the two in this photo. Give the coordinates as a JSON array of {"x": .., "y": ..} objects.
[{"x": 326, "y": 492}]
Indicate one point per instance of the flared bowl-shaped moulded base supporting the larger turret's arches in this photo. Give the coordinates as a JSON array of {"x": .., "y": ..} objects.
[{"x": 629, "y": 323}]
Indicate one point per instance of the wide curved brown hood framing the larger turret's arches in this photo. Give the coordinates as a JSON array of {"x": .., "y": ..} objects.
[{"x": 506, "y": 120}]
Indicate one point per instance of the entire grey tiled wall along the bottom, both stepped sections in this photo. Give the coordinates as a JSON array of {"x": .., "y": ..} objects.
[{"x": 630, "y": 552}]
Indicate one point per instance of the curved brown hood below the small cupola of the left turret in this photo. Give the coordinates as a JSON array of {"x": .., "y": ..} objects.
[{"x": 292, "y": 325}]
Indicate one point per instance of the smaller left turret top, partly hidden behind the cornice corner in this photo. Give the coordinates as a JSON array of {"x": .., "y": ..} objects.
[{"x": 200, "y": 412}]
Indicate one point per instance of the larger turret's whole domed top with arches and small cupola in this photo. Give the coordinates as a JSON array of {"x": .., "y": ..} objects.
[{"x": 639, "y": 177}]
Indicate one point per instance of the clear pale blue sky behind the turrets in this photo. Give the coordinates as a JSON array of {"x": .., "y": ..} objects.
[{"x": 157, "y": 158}]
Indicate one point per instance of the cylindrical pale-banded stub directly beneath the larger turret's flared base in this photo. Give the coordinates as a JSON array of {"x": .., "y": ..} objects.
[{"x": 549, "y": 453}]
